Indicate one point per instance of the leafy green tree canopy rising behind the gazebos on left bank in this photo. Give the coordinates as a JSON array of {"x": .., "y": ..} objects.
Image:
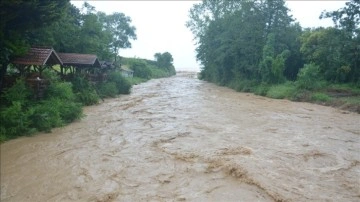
[{"x": 64, "y": 27}]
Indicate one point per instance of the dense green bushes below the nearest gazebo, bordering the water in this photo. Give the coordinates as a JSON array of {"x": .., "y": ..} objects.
[{"x": 22, "y": 115}]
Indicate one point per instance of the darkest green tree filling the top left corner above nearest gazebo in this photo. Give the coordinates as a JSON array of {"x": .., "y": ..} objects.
[{"x": 17, "y": 19}]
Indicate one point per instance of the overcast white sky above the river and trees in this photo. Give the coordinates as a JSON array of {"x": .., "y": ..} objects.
[{"x": 160, "y": 25}]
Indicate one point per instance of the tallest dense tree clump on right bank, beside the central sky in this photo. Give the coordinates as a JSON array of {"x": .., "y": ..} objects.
[{"x": 252, "y": 40}]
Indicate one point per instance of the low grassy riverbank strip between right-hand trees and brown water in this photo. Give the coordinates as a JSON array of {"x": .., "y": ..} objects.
[{"x": 341, "y": 96}]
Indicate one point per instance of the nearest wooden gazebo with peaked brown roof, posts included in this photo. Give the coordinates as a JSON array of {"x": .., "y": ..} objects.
[{"x": 33, "y": 64}]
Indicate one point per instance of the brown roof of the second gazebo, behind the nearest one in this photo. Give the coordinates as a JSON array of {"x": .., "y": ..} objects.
[{"x": 79, "y": 60}]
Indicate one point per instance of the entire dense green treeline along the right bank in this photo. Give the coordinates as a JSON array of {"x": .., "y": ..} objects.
[{"x": 247, "y": 44}]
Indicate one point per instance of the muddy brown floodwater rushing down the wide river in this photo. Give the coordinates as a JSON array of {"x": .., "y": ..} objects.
[{"x": 181, "y": 139}]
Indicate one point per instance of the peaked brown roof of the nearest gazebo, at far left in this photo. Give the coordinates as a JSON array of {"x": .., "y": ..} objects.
[{"x": 39, "y": 56}]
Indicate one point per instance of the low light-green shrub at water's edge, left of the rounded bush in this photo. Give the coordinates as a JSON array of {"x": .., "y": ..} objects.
[{"x": 281, "y": 91}]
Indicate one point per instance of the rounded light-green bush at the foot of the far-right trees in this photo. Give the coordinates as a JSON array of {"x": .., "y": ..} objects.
[{"x": 309, "y": 77}]
